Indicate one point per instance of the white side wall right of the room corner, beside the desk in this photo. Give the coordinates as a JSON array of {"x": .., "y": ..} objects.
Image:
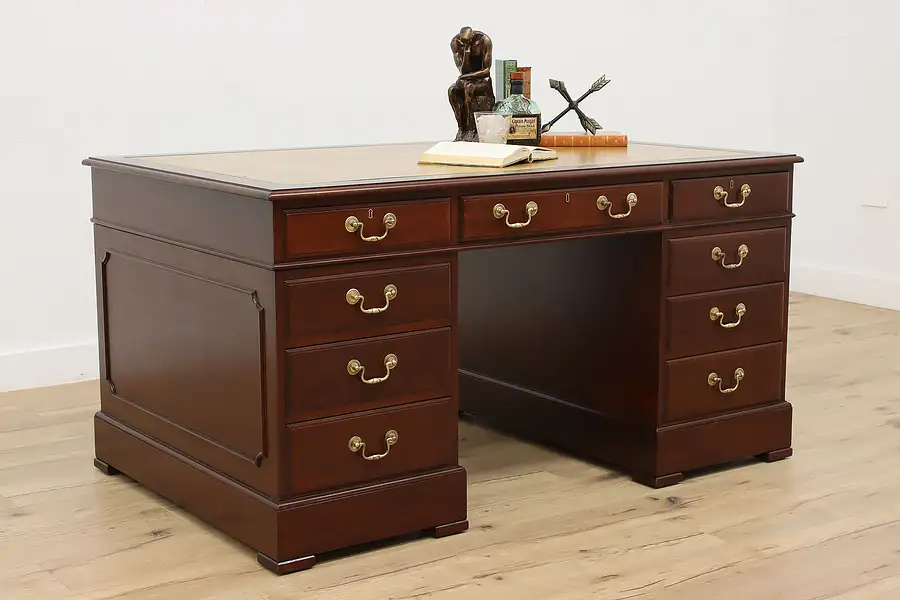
[{"x": 837, "y": 103}]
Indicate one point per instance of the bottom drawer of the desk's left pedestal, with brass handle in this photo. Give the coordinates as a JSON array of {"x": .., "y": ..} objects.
[{"x": 333, "y": 452}]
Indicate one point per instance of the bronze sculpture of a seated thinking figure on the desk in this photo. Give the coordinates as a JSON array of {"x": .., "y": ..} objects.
[{"x": 473, "y": 91}]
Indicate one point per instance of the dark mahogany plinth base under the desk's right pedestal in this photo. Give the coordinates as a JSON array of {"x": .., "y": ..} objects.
[{"x": 653, "y": 456}]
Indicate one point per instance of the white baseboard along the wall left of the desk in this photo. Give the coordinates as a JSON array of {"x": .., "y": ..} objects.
[{"x": 51, "y": 366}]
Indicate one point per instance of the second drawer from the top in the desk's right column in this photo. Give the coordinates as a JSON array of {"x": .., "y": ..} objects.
[{"x": 712, "y": 262}]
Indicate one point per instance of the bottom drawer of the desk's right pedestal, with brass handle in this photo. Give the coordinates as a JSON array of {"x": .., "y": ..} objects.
[{"x": 717, "y": 383}]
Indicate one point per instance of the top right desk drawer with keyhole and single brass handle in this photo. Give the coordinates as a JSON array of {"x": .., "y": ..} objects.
[{"x": 730, "y": 197}]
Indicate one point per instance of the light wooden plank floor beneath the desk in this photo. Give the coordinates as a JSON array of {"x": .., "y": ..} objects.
[{"x": 823, "y": 524}]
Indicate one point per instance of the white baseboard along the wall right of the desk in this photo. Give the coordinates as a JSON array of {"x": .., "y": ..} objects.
[{"x": 860, "y": 288}]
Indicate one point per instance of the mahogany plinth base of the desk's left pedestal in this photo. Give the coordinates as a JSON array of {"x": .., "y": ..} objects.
[{"x": 288, "y": 535}]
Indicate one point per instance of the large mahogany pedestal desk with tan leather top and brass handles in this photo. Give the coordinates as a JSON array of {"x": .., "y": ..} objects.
[{"x": 286, "y": 337}]
